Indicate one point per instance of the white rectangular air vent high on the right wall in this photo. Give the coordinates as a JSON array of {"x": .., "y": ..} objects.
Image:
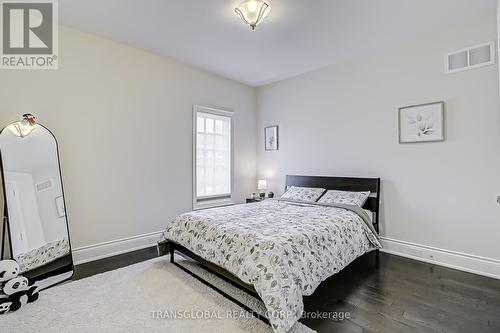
[{"x": 470, "y": 58}]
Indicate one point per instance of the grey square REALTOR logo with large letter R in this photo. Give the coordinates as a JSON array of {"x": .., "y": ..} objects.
[{"x": 29, "y": 34}]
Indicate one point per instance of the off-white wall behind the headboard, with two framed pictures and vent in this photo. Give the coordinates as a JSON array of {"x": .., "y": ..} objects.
[{"x": 342, "y": 121}]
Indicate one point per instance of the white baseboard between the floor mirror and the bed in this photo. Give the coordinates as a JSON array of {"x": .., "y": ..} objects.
[{"x": 89, "y": 253}]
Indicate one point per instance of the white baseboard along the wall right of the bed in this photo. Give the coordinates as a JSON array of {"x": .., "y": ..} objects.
[{"x": 456, "y": 260}]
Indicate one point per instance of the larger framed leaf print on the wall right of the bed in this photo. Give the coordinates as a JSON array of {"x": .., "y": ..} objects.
[{"x": 422, "y": 123}]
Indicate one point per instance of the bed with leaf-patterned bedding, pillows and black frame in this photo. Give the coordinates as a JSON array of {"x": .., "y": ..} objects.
[{"x": 279, "y": 250}]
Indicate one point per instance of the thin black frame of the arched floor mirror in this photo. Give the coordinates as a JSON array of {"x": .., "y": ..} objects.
[{"x": 47, "y": 270}]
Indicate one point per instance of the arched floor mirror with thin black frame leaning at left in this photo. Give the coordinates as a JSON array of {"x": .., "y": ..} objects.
[{"x": 34, "y": 229}]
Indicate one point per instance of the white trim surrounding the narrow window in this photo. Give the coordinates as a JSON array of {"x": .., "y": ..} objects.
[{"x": 217, "y": 201}]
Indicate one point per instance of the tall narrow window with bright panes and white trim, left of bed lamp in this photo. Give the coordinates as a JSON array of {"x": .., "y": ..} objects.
[{"x": 213, "y": 160}]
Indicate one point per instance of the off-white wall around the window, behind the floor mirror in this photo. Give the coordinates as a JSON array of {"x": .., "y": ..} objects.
[{"x": 123, "y": 119}]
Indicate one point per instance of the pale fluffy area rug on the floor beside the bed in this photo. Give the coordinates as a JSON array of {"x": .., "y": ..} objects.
[{"x": 145, "y": 297}]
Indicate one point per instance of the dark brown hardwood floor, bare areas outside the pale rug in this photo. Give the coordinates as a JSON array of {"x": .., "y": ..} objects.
[{"x": 400, "y": 295}]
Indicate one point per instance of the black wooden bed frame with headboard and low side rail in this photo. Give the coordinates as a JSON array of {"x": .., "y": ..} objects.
[{"x": 329, "y": 183}]
